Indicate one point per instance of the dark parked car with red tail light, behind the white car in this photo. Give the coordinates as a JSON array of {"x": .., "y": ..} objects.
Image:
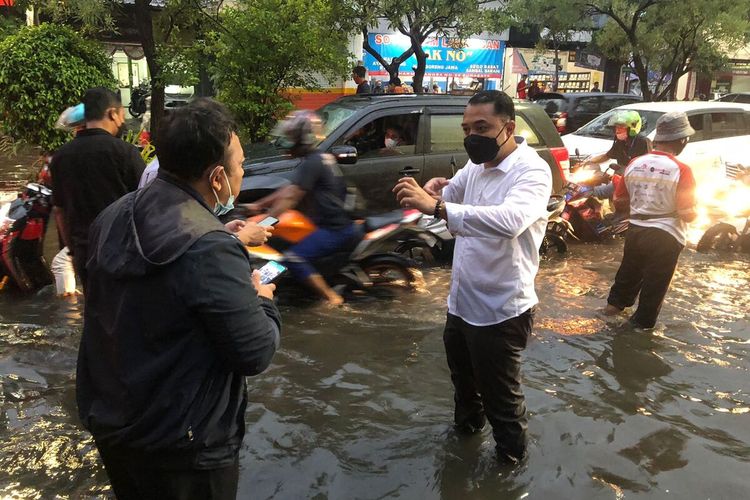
[{"x": 570, "y": 111}]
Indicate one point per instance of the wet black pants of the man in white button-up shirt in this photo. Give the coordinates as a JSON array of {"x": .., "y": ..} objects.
[{"x": 485, "y": 365}]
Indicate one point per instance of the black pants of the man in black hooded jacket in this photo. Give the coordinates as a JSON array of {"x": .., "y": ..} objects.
[{"x": 137, "y": 479}]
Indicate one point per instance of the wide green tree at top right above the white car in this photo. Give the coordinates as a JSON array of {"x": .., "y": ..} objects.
[{"x": 666, "y": 39}]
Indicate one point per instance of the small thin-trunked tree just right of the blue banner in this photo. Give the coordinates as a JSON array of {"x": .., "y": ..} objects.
[{"x": 558, "y": 22}]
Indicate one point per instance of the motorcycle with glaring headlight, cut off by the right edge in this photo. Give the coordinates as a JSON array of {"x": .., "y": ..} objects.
[{"x": 733, "y": 206}]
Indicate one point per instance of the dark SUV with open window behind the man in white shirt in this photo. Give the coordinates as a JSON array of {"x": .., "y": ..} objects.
[{"x": 431, "y": 144}]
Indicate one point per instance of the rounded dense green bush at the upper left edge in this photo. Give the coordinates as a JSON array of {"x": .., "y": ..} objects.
[{"x": 45, "y": 69}]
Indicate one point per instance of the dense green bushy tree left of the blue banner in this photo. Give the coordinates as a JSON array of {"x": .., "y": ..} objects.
[{"x": 267, "y": 46}]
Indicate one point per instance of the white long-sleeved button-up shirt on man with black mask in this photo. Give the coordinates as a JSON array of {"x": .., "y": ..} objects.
[{"x": 499, "y": 216}]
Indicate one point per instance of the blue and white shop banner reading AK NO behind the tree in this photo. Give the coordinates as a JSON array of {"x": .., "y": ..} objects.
[{"x": 450, "y": 64}]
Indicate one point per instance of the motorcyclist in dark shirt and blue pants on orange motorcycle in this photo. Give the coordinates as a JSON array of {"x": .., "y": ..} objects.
[{"x": 319, "y": 189}]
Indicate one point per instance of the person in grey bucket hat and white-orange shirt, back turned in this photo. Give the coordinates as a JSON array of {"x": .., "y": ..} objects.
[{"x": 659, "y": 191}]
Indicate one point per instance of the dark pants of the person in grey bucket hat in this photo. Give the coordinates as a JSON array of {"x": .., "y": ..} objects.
[{"x": 648, "y": 264}]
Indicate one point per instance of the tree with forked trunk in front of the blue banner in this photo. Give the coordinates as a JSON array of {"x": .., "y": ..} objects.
[{"x": 419, "y": 20}]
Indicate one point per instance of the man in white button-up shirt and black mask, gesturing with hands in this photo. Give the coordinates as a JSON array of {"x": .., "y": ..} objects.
[{"x": 496, "y": 208}]
